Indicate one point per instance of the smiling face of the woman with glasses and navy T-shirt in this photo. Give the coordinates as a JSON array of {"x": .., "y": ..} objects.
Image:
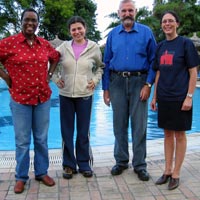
[{"x": 169, "y": 26}]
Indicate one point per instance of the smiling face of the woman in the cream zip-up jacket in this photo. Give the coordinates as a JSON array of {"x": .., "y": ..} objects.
[{"x": 77, "y": 31}]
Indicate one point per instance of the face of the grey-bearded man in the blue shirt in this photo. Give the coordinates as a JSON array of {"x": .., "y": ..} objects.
[{"x": 127, "y": 12}]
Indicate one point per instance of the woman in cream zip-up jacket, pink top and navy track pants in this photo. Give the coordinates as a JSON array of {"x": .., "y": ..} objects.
[{"x": 81, "y": 70}]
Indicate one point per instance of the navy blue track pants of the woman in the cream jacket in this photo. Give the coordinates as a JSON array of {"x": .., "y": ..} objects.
[{"x": 75, "y": 111}]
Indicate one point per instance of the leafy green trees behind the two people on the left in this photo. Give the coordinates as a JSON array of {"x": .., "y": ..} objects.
[{"x": 53, "y": 16}]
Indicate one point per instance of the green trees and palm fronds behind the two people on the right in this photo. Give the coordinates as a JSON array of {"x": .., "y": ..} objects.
[{"x": 189, "y": 14}]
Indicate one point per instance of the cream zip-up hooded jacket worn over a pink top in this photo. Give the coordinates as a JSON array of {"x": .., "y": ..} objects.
[{"x": 77, "y": 73}]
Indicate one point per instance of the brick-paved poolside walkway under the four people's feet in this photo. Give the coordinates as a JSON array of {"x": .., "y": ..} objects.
[{"x": 103, "y": 186}]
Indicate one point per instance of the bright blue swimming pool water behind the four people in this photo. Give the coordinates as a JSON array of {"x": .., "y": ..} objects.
[{"x": 101, "y": 123}]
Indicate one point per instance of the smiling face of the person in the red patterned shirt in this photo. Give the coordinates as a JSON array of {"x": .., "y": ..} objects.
[{"x": 29, "y": 24}]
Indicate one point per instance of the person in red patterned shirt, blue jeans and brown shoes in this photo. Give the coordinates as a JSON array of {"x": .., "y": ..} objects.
[{"x": 25, "y": 57}]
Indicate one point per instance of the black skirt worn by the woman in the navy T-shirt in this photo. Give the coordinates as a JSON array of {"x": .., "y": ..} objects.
[{"x": 171, "y": 117}]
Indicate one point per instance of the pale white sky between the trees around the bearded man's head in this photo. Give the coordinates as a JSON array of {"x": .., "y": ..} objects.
[{"x": 105, "y": 7}]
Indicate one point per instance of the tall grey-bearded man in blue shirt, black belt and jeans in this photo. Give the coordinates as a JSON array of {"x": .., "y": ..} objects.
[{"x": 127, "y": 80}]
